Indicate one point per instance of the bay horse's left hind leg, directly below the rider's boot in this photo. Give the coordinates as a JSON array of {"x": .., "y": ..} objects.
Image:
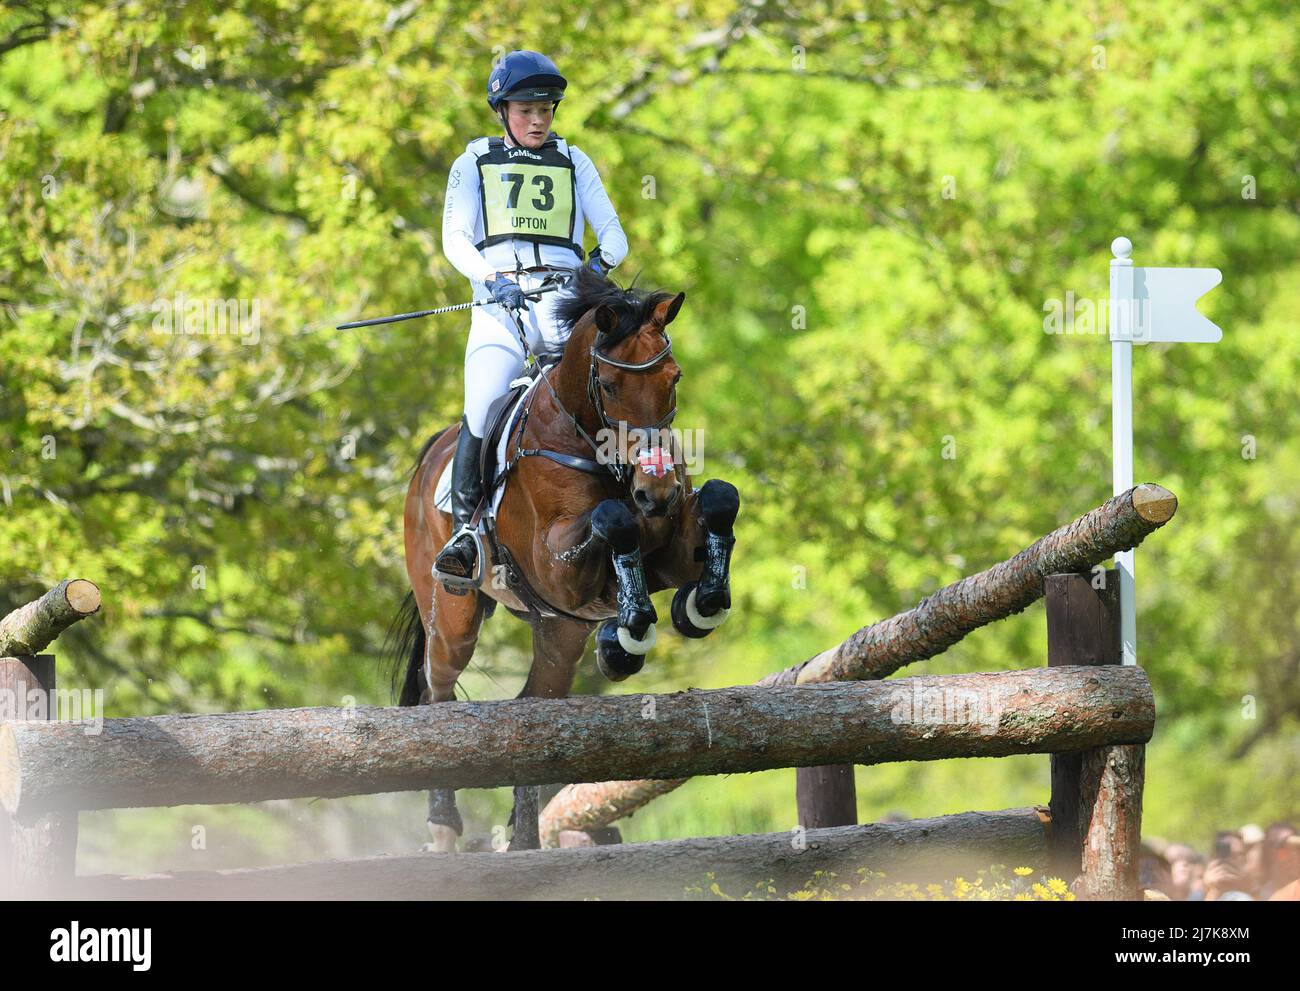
[{"x": 452, "y": 633}]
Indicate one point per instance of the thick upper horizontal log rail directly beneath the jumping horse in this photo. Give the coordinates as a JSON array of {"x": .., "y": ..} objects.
[{"x": 287, "y": 754}]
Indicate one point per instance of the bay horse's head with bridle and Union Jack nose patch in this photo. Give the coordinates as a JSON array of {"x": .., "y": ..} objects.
[{"x": 631, "y": 384}]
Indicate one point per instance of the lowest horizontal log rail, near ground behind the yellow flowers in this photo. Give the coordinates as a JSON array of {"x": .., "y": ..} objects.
[{"x": 916, "y": 851}]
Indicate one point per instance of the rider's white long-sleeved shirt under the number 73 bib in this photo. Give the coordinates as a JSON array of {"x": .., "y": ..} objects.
[{"x": 463, "y": 223}]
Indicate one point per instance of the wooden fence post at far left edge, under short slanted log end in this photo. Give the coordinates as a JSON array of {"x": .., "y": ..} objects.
[{"x": 37, "y": 859}]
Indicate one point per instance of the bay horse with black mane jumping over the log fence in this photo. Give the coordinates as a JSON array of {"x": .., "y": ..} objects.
[{"x": 582, "y": 542}]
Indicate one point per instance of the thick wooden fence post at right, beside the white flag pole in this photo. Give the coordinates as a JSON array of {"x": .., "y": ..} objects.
[{"x": 1097, "y": 795}]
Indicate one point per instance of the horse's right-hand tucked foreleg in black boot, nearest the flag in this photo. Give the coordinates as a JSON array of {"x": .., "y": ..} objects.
[{"x": 699, "y": 560}]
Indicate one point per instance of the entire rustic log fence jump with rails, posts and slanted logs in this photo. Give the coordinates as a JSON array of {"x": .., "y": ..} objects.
[{"x": 824, "y": 717}]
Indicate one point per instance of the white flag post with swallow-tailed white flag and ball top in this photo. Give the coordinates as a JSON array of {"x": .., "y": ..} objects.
[{"x": 1146, "y": 305}]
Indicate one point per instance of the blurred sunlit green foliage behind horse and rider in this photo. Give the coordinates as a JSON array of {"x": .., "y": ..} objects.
[{"x": 868, "y": 206}]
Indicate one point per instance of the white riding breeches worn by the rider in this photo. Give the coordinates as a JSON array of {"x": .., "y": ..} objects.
[{"x": 493, "y": 354}]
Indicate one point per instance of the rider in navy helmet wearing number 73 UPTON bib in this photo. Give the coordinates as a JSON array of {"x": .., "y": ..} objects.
[{"x": 515, "y": 213}]
